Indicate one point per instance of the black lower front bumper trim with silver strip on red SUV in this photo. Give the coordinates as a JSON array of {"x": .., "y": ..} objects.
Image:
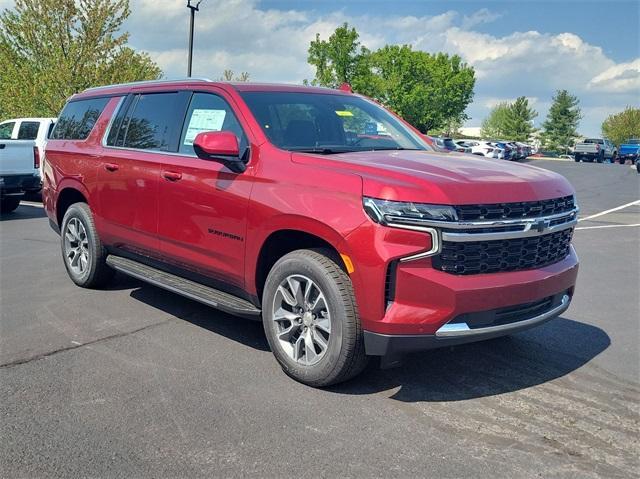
[{"x": 471, "y": 327}]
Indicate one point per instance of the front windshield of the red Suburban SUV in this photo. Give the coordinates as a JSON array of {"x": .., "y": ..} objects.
[{"x": 329, "y": 123}]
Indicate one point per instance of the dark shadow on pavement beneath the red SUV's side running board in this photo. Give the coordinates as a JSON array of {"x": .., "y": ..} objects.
[{"x": 241, "y": 330}]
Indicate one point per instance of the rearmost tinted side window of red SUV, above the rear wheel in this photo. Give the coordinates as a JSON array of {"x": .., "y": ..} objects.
[{"x": 78, "y": 118}]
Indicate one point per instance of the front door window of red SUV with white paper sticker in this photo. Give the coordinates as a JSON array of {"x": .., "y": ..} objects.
[{"x": 209, "y": 112}]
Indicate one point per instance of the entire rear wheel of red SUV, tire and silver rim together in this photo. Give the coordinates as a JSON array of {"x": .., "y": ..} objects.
[{"x": 83, "y": 253}]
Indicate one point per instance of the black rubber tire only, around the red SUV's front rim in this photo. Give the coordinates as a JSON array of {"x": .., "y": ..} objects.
[{"x": 344, "y": 356}]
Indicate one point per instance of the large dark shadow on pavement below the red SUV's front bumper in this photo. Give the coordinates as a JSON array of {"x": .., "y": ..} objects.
[{"x": 486, "y": 368}]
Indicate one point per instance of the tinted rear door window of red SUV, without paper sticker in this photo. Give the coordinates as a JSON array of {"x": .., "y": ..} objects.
[{"x": 151, "y": 123}]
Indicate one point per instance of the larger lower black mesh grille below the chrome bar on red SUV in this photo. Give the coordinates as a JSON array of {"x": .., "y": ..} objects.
[{"x": 476, "y": 257}]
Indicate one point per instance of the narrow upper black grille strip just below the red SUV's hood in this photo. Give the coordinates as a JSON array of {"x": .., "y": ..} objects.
[{"x": 505, "y": 211}]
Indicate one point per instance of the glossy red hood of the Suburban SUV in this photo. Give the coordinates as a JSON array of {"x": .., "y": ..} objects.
[{"x": 445, "y": 178}]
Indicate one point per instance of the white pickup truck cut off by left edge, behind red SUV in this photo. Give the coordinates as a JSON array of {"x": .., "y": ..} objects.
[{"x": 22, "y": 144}]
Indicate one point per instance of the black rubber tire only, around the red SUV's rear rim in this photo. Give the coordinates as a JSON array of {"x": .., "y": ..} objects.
[{"x": 96, "y": 272}]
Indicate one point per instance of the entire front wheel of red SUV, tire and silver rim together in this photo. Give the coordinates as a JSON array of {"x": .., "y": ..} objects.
[{"x": 311, "y": 320}]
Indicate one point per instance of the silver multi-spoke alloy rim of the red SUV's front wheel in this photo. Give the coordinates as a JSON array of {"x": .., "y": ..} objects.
[{"x": 303, "y": 323}]
